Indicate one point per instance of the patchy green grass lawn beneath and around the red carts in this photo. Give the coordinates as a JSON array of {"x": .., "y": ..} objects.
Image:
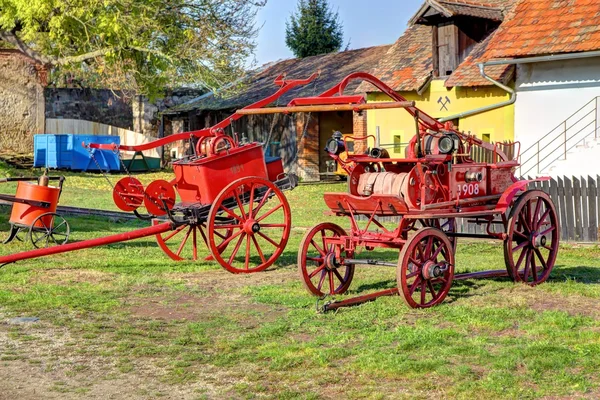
[{"x": 124, "y": 321}]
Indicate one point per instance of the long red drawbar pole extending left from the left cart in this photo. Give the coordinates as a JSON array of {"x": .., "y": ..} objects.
[{"x": 86, "y": 244}]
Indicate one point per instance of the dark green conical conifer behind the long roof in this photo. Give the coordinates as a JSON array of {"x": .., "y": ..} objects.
[{"x": 313, "y": 29}]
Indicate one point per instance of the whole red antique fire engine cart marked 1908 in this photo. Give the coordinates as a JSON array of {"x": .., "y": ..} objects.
[{"x": 435, "y": 183}]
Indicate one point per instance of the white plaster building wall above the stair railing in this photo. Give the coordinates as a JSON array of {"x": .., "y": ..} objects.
[{"x": 547, "y": 94}]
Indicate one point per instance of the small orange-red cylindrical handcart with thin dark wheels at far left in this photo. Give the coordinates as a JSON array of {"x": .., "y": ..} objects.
[{"x": 34, "y": 211}]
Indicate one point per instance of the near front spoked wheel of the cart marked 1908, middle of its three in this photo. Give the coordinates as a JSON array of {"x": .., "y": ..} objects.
[{"x": 425, "y": 268}]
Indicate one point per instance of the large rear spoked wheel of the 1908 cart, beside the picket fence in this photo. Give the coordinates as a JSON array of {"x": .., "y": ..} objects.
[{"x": 531, "y": 245}]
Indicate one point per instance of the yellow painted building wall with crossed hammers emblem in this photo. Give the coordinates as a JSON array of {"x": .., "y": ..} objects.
[{"x": 498, "y": 123}]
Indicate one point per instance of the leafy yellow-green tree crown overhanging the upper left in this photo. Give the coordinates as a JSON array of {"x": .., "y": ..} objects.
[{"x": 140, "y": 45}]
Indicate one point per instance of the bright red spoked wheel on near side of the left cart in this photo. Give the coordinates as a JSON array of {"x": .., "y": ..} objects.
[{"x": 258, "y": 216}]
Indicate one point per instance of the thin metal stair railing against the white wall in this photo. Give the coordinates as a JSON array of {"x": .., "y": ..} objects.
[{"x": 559, "y": 141}]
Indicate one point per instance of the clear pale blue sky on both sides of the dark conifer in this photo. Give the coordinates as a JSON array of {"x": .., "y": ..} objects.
[{"x": 365, "y": 23}]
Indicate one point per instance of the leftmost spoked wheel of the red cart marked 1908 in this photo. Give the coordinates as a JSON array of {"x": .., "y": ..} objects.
[{"x": 321, "y": 265}]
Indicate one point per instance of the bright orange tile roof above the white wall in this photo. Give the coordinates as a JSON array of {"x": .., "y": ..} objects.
[{"x": 548, "y": 27}]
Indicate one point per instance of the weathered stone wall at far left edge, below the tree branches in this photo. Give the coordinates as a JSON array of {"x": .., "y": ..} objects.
[{"x": 21, "y": 101}]
